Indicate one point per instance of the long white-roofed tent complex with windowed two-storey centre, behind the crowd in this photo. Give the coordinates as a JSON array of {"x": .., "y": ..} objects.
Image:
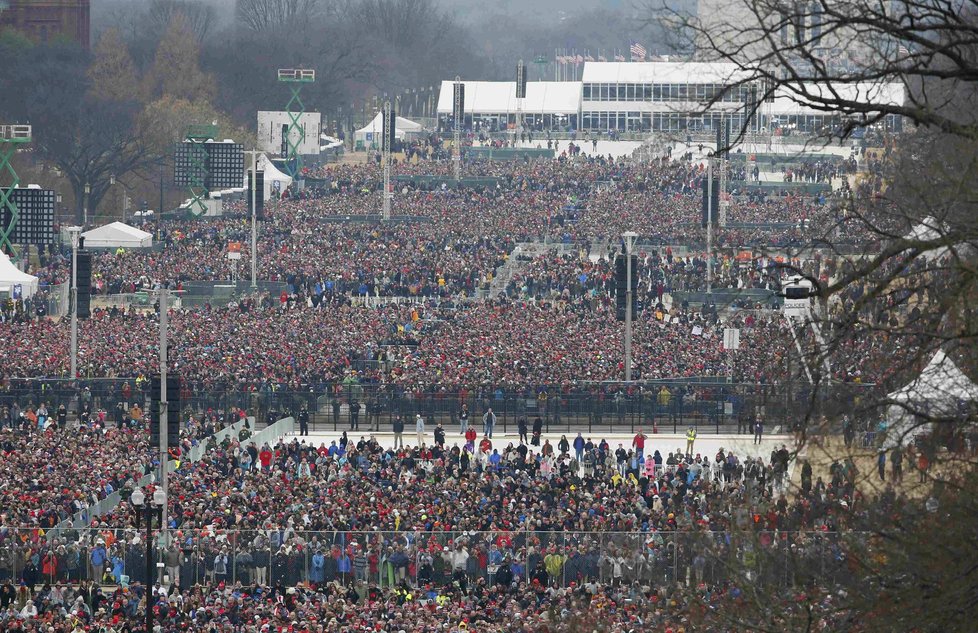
[{"x": 646, "y": 97}]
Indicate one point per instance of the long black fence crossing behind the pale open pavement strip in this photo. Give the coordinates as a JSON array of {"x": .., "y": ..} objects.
[{"x": 709, "y": 404}]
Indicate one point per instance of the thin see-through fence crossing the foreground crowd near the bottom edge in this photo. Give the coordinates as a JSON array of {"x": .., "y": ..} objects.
[{"x": 385, "y": 558}]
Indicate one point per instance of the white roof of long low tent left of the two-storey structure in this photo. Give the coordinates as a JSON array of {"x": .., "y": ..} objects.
[{"x": 497, "y": 97}]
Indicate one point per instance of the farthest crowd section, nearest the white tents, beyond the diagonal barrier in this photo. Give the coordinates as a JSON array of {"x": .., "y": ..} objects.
[{"x": 458, "y": 237}]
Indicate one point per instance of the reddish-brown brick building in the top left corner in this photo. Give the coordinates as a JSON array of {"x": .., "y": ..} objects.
[{"x": 43, "y": 20}]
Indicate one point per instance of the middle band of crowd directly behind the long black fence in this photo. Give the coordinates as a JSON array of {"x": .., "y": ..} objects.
[{"x": 292, "y": 339}]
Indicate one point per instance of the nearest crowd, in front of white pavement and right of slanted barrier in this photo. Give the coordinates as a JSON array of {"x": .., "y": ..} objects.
[{"x": 432, "y": 535}]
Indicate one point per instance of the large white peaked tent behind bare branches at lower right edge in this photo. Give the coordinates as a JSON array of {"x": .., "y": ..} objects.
[{"x": 937, "y": 391}]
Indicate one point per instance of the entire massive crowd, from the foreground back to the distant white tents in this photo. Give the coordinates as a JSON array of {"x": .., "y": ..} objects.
[{"x": 458, "y": 535}]
